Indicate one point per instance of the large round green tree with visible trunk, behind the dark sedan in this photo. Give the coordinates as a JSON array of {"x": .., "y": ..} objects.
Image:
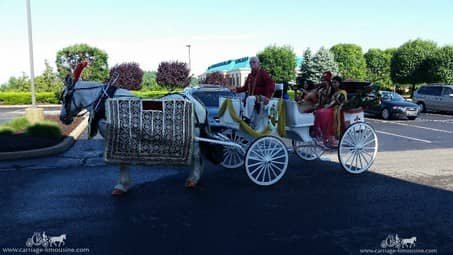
[{"x": 408, "y": 64}]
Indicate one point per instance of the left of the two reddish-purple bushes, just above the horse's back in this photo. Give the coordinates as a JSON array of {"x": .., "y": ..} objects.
[{"x": 130, "y": 76}]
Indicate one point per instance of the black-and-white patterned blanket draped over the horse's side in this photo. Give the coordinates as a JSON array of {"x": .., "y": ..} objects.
[{"x": 149, "y": 131}]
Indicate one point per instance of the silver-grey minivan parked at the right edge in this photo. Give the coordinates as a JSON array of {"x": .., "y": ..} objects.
[{"x": 434, "y": 97}]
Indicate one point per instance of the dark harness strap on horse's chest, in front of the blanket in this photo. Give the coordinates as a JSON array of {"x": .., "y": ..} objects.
[{"x": 99, "y": 109}]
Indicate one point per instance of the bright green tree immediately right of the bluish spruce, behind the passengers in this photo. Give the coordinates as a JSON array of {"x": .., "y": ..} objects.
[{"x": 350, "y": 60}]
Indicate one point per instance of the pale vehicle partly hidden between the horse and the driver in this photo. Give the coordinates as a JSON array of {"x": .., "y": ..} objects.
[{"x": 209, "y": 95}]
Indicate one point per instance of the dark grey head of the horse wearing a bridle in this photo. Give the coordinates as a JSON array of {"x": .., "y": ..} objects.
[{"x": 68, "y": 107}]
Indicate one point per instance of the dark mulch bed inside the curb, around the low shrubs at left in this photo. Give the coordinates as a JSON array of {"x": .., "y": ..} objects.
[{"x": 22, "y": 141}]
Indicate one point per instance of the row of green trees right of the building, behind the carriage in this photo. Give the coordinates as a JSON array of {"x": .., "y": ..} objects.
[{"x": 414, "y": 62}]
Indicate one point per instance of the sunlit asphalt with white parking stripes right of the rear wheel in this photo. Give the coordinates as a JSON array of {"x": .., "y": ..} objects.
[{"x": 428, "y": 131}]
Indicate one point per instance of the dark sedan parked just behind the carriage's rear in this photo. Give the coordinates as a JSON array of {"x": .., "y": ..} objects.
[{"x": 393, "y": 105}]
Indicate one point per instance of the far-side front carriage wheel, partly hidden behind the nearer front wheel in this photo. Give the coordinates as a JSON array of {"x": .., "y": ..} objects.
[{"x": 233, "y": 157}]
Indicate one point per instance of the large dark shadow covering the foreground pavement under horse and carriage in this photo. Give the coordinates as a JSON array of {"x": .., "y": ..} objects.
[{"x": 317, "y": 208}]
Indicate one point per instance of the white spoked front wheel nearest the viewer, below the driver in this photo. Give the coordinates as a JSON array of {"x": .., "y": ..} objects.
[{"x": 266, "y": 160}]
